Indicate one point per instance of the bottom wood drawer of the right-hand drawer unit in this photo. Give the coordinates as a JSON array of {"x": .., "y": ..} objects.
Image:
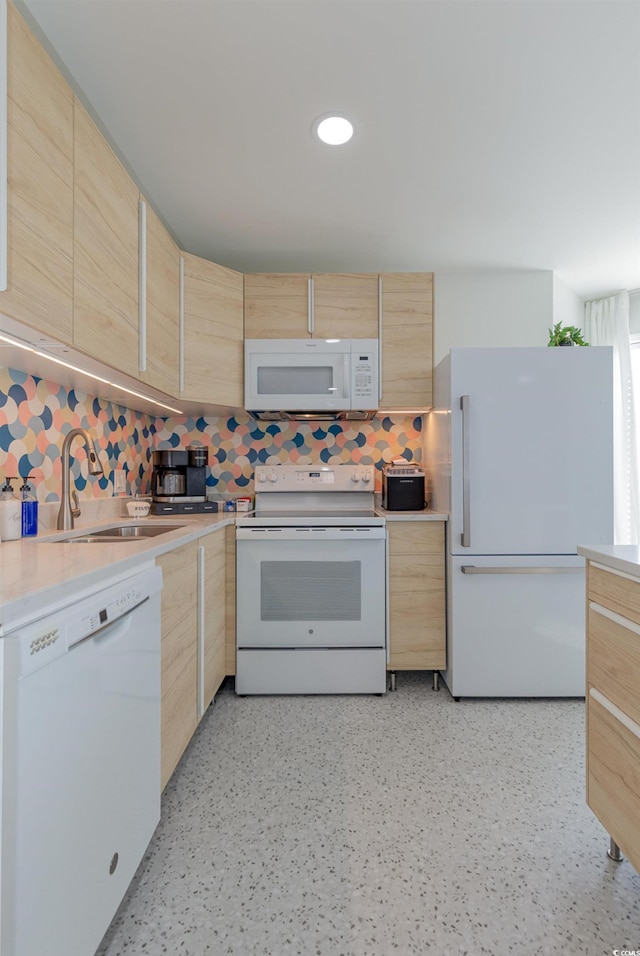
[{"x": 613, "y": 778}]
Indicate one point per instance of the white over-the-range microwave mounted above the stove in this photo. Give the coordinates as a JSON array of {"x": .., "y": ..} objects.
[{"x": 311, "y": 378}]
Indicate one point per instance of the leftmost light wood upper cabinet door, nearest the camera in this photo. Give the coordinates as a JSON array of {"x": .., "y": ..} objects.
[{"x": 40, "y": 187}]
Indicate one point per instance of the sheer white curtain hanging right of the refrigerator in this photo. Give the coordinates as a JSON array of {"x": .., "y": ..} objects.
[{"x": 607, "y": 323}]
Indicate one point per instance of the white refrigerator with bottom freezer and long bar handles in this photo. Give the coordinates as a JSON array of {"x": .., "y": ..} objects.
[{"x": 519, "y": 450}]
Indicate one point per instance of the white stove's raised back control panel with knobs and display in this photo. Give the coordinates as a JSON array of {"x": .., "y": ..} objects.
[{"x": 314, "y": 478}]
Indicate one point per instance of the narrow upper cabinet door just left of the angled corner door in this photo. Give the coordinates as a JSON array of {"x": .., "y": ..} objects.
[{"x": 162, "y": 333}]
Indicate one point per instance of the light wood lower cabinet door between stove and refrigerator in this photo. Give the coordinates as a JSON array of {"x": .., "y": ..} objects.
[{"x": 417, "y": 638}]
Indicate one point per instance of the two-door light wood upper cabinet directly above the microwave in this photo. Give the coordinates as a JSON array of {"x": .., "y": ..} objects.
[{"x": 299, "y": 305}]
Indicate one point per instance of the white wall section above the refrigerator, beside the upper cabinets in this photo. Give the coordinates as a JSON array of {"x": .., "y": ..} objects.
[{"x": 475, "y": 309}]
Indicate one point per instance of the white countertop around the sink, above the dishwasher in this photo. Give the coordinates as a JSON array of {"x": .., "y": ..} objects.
[{"x": 36, "y": 572}]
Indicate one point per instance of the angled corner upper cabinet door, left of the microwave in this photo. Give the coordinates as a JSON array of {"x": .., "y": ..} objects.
[{"x": 213, "y": 333}]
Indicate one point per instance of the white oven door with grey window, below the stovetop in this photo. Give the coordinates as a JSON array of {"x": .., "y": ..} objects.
[{"x": 311, "y": 587}]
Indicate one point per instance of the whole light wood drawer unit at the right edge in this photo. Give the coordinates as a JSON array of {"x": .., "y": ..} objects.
[{"x": 613, "y": 707}]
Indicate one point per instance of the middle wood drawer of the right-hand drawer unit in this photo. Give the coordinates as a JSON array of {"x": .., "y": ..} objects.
[{"x": 613, "y": 654}]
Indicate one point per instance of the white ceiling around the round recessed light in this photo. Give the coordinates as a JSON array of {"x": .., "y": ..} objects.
[{"x": 490, "y": 135}]
